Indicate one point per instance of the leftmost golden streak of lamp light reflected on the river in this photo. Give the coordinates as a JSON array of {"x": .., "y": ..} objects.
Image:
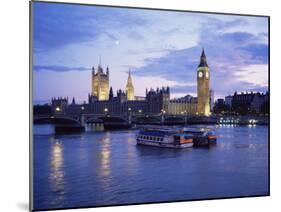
[{"x": 57, "y": 175}]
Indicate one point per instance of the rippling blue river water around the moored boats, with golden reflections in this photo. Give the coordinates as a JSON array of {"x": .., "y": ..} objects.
[{"x": 99, "y": 168}]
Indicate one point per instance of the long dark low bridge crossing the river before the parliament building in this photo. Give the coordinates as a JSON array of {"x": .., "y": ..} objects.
[{"x": 90, "y": 118}]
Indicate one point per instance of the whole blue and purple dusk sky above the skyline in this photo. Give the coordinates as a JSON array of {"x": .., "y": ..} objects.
[{"x": 160, "y": 48}]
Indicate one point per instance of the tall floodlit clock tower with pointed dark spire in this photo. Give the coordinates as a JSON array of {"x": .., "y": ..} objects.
[{"x": 203, "y": 87}]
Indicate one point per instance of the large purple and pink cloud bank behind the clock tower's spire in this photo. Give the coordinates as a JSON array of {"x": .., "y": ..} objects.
[{"x": 228, "y": 54}]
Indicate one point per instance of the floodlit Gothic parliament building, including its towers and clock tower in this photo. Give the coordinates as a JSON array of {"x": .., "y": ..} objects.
[{"x": 102, "y": 98}]
